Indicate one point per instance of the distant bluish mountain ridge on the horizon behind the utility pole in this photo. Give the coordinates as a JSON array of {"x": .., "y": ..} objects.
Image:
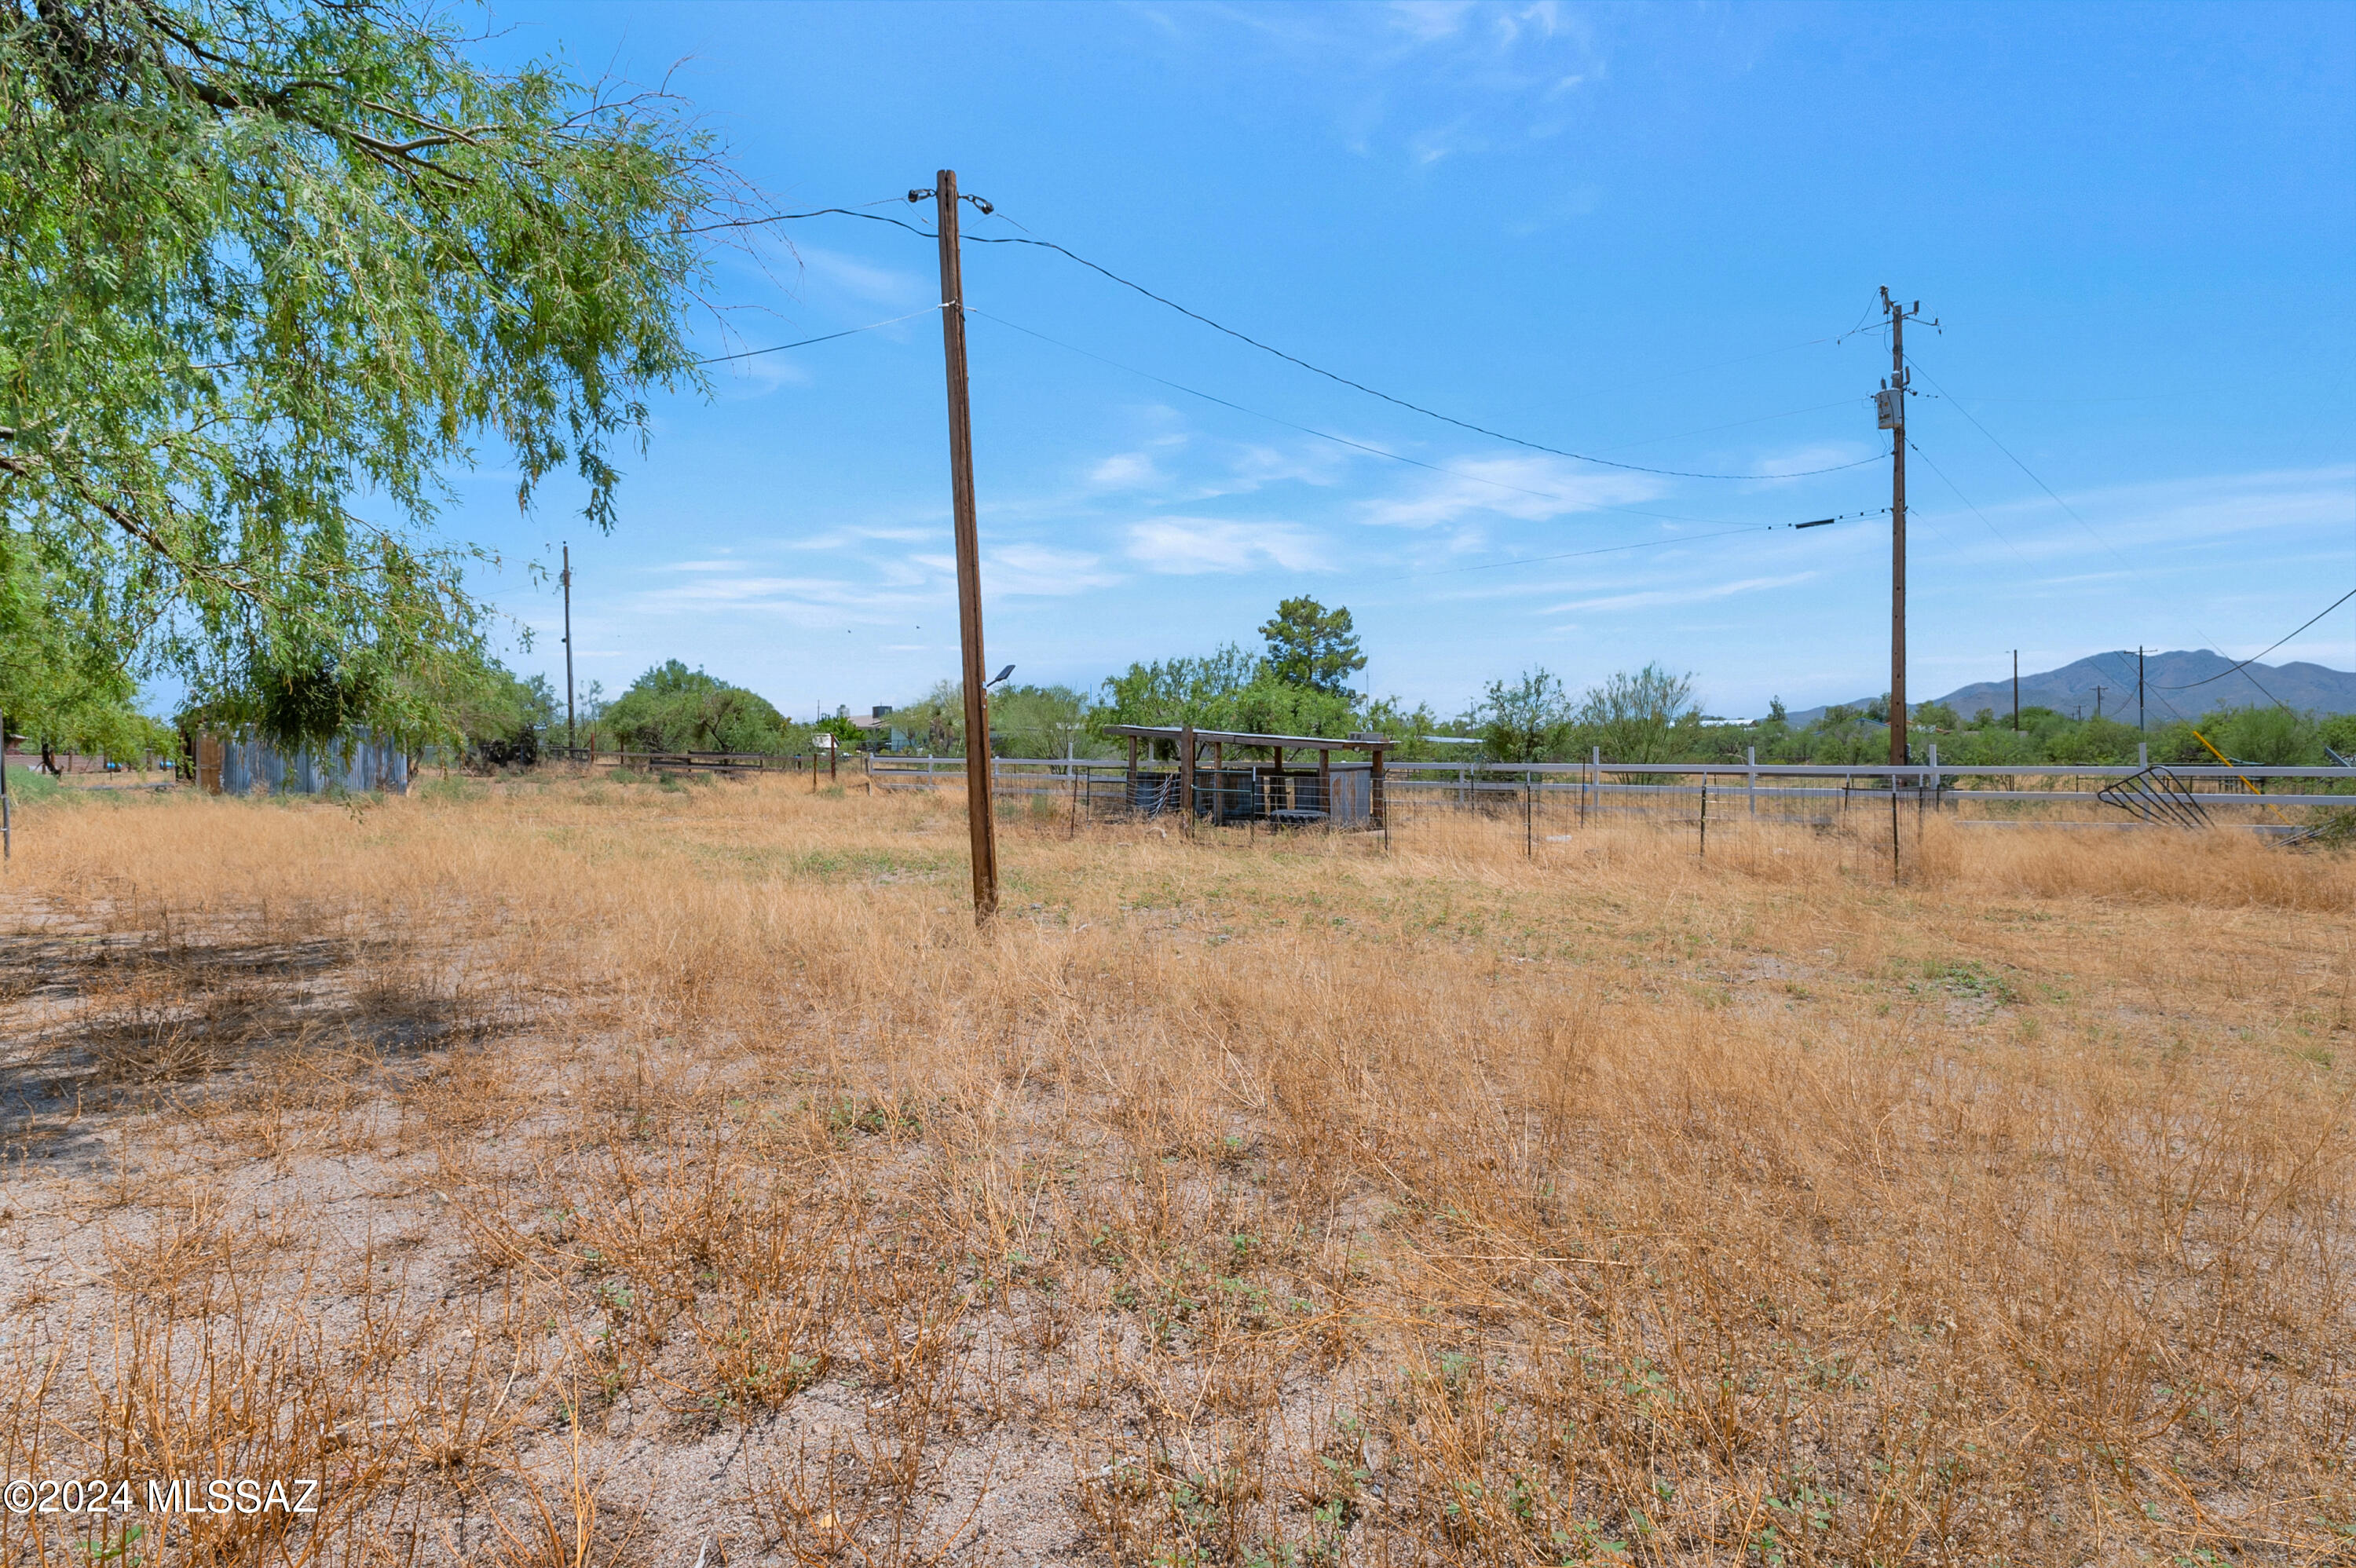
[{"x": 2169, "y": 689}]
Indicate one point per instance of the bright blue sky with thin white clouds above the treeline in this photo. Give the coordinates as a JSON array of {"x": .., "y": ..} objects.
[{"x": 1627, "y": 232}]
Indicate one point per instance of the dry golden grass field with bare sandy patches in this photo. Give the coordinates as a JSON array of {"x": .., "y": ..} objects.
[{"x": 618, "y": 1174}]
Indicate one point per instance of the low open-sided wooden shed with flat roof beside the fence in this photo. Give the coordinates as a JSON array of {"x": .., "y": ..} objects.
[{"x": 1231, "y": 776}]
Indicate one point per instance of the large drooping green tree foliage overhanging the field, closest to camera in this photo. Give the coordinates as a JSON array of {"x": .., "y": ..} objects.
[{"x": 272, "y": 255}]
